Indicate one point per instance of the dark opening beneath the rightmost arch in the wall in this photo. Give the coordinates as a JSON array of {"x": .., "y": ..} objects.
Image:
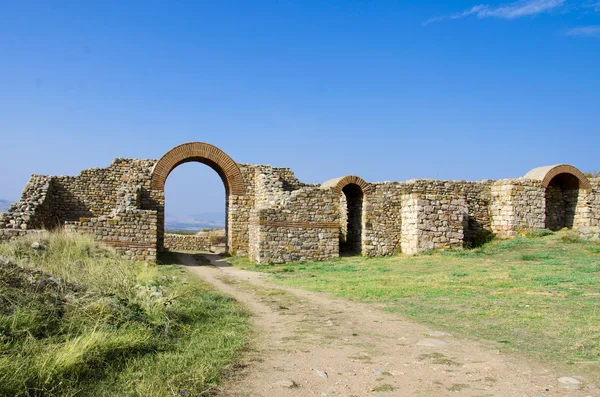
[{"x": 562, "y": 195}]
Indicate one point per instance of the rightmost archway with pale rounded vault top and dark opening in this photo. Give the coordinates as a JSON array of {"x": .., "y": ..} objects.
[{"x": 562, "y": 184}]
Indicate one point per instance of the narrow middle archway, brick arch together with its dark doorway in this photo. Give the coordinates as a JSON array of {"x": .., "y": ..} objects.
[{"x": 352, "y": 190}]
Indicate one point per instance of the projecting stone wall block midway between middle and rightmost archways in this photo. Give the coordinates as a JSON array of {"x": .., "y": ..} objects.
[{"x": 432, "y": 221}]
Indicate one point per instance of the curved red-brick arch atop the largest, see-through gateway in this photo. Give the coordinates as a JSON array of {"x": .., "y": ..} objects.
[{"x": 204, "y": 153}]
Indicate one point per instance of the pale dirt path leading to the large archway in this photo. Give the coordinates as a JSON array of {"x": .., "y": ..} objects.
[{"x": 308, "y": 344}]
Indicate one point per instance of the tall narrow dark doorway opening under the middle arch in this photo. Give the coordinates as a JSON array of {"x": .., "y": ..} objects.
[{"x": 351, "y": 214}]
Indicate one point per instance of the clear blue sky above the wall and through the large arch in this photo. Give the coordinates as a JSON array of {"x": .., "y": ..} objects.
[{"x": 387, "y": 90}]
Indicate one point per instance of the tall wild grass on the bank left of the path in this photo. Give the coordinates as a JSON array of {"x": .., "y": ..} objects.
[{"x": 77, "y": 319}]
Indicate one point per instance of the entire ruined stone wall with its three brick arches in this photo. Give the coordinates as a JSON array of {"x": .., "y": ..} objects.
[{"x": 274, "y": 218}]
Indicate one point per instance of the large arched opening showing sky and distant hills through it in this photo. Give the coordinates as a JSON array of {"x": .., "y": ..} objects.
[{"x": 195, "y": 209}]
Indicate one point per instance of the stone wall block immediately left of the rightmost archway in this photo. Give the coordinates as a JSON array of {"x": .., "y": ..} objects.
[{"x": 517, "y": 204}]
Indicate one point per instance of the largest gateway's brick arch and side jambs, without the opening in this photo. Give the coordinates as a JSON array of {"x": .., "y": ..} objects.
[{"x": 203, "y": 153}]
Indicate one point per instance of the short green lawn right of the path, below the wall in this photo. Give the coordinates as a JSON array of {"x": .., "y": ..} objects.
[{"x": 538, "y": 294}]
